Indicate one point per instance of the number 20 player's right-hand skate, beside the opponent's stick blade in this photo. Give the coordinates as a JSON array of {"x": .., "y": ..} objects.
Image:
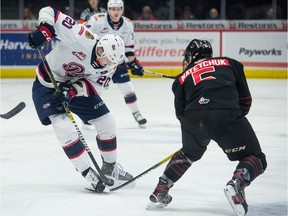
[{"x": 117, "y": 173}]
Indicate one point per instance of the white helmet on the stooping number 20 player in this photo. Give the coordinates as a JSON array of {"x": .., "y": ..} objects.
[{"x": 113, "y": 46}]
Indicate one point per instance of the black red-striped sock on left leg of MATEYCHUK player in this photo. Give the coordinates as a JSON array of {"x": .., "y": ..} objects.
[{"x": 177, "y": 166}]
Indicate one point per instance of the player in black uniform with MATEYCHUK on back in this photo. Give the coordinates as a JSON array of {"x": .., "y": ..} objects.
[{"x": 212, "y": 99}]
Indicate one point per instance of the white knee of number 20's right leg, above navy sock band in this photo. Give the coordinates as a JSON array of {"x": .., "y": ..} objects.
[{"x": 105, "y": 126}]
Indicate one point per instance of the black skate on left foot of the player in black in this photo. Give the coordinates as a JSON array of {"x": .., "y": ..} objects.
[{"x": 160, "y": 197}]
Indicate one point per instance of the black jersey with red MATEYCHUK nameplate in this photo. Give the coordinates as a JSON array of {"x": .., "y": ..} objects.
[{"x": 215, "y": 83}]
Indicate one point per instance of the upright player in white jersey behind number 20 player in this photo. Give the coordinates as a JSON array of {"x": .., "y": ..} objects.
[{"x": 115, "y": 23}]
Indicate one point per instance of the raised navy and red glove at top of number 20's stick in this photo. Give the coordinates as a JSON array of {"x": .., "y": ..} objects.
[{"x": 44, "y": 33}]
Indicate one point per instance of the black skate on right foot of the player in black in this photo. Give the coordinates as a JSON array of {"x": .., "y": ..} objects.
[{"x": 235, "y": 194}]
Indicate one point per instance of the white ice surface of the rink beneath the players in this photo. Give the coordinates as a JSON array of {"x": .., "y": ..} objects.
[{"x": 38, "y": 180}]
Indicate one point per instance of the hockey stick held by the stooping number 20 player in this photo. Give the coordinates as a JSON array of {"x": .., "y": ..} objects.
[{"x": 106, "y": 180}]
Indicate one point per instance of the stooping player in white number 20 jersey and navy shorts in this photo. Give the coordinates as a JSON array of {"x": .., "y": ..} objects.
[{"x": 82, "y": 63}]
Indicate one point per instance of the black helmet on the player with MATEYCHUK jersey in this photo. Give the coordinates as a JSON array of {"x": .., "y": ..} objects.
[{"x": 197, "y": 49}]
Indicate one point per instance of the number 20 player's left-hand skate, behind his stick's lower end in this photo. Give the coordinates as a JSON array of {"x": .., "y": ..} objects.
[{"x": 91, "y": 176}]
